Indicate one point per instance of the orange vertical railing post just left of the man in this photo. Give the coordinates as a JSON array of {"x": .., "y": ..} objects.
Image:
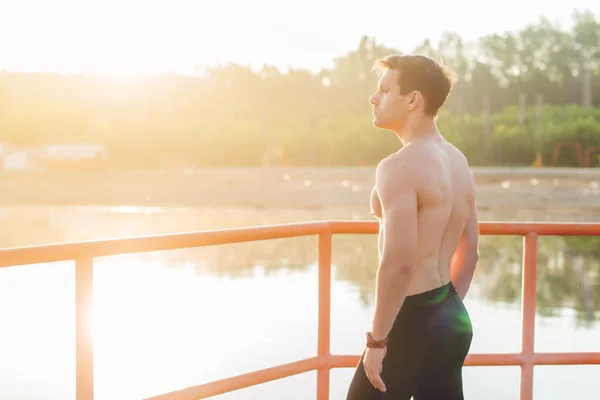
[{"x": 324, "y": 314}]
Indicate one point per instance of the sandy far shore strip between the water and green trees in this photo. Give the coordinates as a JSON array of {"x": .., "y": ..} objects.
[{"x": 525, "y": 193}]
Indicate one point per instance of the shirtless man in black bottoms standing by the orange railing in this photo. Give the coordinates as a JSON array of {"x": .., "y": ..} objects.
[{"x": 424, "y": 198}]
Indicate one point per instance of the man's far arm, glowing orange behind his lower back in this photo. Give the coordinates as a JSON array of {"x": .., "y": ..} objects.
[{"x": 466, "y": 255}]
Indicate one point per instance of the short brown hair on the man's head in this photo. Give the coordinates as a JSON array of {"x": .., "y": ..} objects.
[{"x": 433, "y": 79}]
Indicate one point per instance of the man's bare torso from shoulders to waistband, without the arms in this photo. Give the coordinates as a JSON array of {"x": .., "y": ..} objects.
[{"x": 446, "y": 199}]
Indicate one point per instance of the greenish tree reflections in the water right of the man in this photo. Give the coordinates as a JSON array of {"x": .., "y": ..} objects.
[{"x": 567, "y": 277}]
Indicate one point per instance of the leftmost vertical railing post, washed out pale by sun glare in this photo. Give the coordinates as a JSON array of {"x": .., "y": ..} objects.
[{"x": 84, "y": 345}]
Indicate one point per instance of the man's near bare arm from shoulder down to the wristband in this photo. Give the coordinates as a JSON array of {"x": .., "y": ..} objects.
[{"x": 396, "y": 187}]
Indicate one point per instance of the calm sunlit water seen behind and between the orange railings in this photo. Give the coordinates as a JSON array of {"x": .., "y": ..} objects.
[{"x": 156, "y": 313}]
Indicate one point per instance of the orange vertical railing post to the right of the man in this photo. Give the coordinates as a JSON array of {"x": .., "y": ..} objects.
[{"x": 530, "y": 250}]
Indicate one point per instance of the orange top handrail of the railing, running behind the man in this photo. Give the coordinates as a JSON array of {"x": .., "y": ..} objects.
[{"x": 142, "y": 244}]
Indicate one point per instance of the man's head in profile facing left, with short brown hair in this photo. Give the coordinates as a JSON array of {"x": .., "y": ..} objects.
[{"x": 411, "y": 87}]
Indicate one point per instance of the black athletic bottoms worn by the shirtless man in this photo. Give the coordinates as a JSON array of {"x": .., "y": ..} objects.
[{"x": 427, "y": 347}]
